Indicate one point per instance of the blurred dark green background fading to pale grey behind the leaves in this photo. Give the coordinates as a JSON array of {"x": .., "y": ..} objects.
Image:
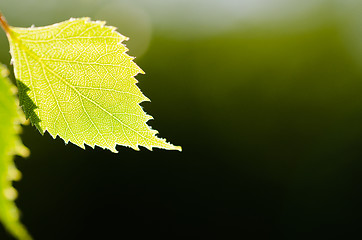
[{"x": 264, "y": 96}]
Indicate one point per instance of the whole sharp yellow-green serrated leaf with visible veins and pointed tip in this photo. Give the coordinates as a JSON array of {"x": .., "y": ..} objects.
[{"x": 75, "y": 80}]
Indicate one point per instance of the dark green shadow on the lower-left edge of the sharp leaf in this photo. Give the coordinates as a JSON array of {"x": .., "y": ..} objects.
[{"x": 28, "y": 105}]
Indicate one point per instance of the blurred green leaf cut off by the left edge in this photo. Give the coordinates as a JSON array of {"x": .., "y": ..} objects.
[{"x": 10, "y": 144}]
